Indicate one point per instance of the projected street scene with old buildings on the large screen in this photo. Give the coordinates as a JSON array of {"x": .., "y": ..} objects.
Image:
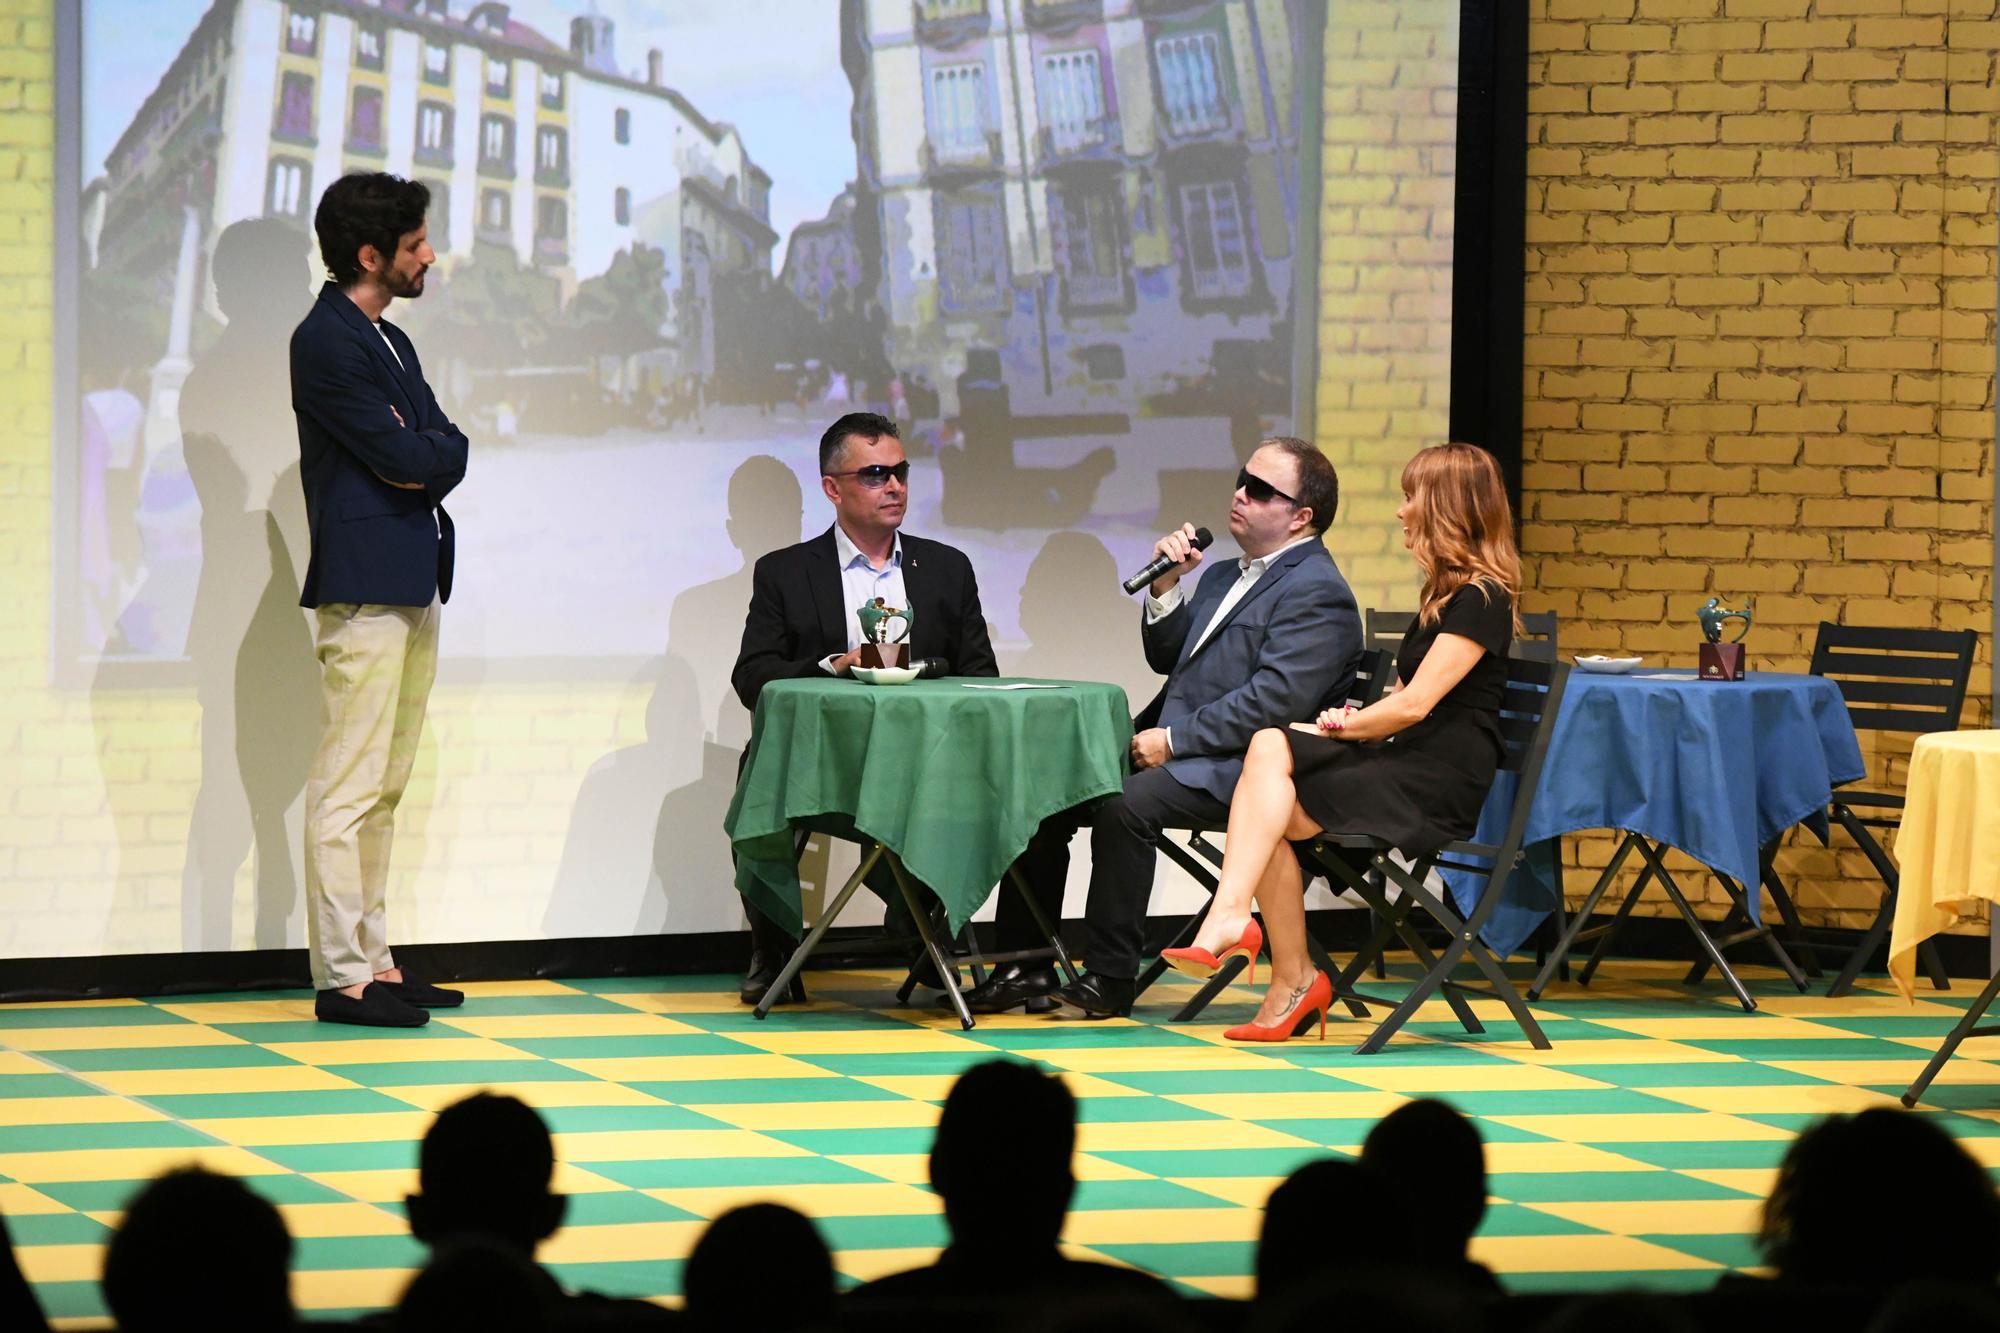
[{"x": 1055, "y": 239}]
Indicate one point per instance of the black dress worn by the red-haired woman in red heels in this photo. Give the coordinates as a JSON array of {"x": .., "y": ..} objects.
[{"x": 1425, "y": 786}]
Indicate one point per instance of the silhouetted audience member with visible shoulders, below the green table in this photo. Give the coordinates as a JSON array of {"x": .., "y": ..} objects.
[{"x": 1003, "y": 1164}]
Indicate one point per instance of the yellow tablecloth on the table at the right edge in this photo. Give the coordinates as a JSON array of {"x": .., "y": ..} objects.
[{"x": 1949, "y": 844}]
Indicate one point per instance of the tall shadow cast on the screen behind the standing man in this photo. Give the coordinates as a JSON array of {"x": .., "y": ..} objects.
[{"x": 249, "y": 643}]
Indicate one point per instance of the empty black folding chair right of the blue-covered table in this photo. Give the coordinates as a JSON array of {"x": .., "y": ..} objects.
[{"x": 1909, "y": 682}]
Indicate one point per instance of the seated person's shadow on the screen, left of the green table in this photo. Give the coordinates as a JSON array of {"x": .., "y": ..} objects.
[{"x": 633, "y": 832}]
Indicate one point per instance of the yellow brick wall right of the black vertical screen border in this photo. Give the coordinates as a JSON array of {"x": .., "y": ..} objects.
[{"x": 1761, "y": 333}]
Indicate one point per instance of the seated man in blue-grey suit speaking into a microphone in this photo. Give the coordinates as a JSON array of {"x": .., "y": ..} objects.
[{"x": 1265, "y": 641}]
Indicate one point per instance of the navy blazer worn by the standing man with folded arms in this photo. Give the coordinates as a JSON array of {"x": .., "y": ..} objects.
[{"x": 371, "y": 541}]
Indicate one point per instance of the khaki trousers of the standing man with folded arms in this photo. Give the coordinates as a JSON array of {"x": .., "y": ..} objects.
[{"x": 377, "y": 665}]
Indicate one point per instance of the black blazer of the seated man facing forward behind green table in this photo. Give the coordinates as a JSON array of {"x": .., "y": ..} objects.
[{"x": 797, "y": 617}]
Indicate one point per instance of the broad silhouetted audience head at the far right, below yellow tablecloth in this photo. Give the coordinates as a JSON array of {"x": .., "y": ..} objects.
[{"x": 1935, "y": 1208}]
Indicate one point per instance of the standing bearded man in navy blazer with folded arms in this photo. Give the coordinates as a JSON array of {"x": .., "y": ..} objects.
[{"x": 377, "y": 459}]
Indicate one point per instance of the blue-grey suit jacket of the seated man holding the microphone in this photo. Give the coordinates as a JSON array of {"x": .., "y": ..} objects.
[{"x": 1287, "y": 649}]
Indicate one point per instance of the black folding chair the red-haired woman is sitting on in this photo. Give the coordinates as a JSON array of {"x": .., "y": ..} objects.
[{"x": 1527, "y": 720}]
